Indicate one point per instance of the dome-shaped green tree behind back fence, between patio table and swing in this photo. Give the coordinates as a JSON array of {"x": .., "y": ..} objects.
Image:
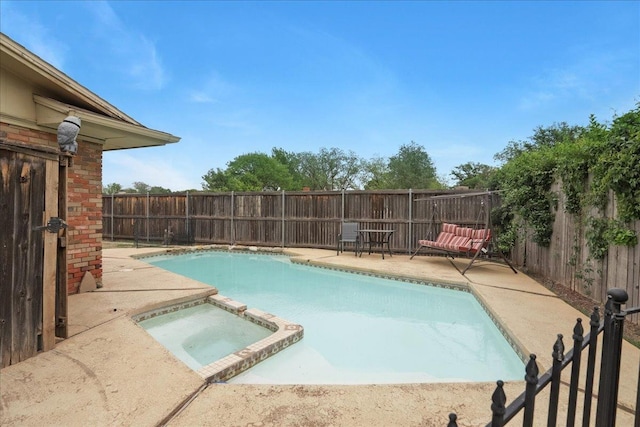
[{"x": 411, "y": 168}]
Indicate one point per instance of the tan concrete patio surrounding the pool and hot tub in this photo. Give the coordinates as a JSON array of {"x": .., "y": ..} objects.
[{"x": 111, "y": 372}]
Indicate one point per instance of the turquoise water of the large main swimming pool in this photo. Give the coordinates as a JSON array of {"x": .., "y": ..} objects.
[{"x": 358, "y": 329}]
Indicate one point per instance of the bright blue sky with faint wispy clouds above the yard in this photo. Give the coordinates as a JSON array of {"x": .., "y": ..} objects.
[{"x": 462, "y": 79}]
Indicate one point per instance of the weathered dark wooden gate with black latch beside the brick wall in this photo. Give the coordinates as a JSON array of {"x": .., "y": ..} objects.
[{"x": 29, "y": 251}]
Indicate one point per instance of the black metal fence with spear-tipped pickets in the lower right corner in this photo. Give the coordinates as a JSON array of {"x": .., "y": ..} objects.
[{"x": 609, "y": 379}]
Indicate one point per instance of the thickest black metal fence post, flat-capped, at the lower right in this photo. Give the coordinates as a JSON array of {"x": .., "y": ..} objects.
[{"x": 611, "y": 351}]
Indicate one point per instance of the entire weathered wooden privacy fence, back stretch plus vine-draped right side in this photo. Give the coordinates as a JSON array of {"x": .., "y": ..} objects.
[{"x": 312, "y": 219}]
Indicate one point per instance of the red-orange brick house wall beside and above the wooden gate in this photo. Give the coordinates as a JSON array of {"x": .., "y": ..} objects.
[{"x": 84, "y": 202}]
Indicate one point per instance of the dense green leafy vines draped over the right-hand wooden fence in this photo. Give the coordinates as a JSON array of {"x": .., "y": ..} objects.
[{"x": 611, "y": 155}]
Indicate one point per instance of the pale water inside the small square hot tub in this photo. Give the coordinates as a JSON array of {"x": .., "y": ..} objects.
[{"x": 202, "y": 334}]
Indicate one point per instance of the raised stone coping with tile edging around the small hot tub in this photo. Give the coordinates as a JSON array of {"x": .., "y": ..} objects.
[{"x": 284, "y": 334}]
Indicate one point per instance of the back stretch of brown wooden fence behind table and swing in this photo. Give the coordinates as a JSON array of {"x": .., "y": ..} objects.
[{"x": 291, "y": 219}]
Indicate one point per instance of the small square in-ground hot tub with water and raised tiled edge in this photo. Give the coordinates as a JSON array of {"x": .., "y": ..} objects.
[{"x": 218, "y": 337}]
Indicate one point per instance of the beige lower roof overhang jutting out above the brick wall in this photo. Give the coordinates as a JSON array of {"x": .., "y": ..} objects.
[{"x": 113, "y": 134}]
